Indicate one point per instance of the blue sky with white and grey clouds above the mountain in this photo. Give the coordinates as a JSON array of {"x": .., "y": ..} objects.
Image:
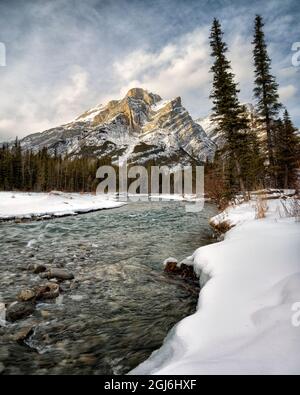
[{"x": 65, "y": 56}]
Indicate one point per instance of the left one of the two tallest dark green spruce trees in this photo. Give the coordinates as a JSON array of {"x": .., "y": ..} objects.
[{"x": 227, "y": 110}]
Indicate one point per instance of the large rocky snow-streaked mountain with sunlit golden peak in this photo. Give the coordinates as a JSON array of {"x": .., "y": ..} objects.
[{"x": 138, "y": 128}]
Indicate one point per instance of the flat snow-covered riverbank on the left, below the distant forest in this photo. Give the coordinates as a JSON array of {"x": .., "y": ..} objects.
[{"x": 54, "y": 204}]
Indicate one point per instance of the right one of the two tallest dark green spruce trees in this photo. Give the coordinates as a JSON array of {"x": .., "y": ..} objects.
[{"x": 265, "y": 91}]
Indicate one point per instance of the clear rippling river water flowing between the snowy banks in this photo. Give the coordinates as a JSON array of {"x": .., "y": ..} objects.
[{"x": 121, "y": 305}]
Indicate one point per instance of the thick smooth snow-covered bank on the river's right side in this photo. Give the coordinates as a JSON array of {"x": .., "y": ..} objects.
[{"x": 246, "y": 321}]
